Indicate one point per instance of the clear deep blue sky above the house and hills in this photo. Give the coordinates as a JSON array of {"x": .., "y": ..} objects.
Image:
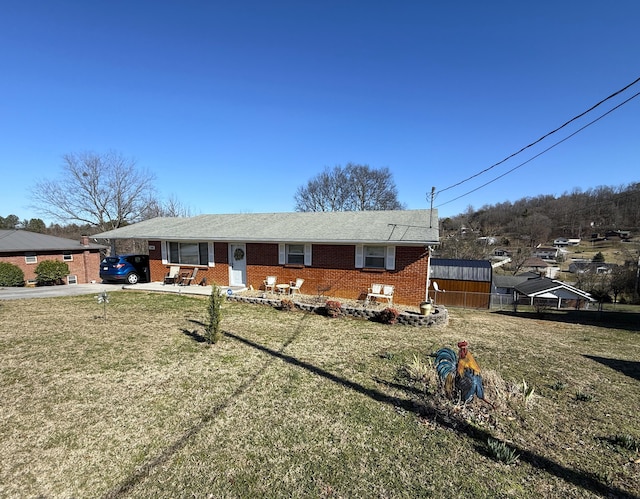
[{"x": 234, "y": 105}]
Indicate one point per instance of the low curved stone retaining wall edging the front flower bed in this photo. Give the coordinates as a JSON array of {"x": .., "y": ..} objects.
[{"x": 439, "y": 316}]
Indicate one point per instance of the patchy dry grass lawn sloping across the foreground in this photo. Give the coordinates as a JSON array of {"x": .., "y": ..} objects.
[{"x": 291, "y": 404}]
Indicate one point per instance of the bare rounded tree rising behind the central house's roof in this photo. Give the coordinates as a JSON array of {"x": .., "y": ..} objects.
[{"x": 352, "y": 188}]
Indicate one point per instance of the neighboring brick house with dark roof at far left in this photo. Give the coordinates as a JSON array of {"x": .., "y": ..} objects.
[{"x": 26, "y": 249}]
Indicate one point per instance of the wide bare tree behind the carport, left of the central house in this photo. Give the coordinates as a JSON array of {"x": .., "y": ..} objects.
[{"x": 105, "y": 191}]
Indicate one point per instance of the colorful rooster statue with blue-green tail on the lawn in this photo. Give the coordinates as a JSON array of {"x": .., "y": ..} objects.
[{"x": 460, "y": 373}]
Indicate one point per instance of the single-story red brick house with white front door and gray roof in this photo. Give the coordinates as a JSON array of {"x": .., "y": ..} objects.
[{"x": 338, "y": 254}]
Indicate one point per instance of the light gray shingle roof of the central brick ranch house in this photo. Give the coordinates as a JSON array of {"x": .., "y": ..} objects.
[{"x": 399, "y": 226}]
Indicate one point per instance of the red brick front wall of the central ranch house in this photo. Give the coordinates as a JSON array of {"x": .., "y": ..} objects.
[{"x": 332, "y": 273}]
